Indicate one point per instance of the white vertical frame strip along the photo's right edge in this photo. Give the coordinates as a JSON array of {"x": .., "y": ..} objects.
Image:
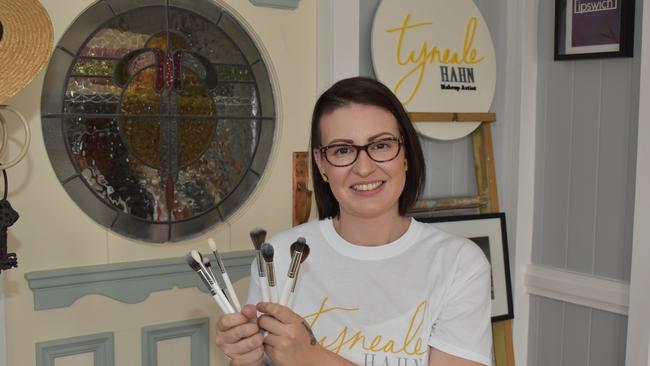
[{"x": 638, "y": 324}]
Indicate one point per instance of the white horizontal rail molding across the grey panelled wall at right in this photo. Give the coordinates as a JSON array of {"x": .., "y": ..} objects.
[{"x": 582, "y": 289}]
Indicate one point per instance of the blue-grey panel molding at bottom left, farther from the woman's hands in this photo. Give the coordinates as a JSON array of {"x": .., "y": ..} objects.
[{"x": 101, "y": 345}]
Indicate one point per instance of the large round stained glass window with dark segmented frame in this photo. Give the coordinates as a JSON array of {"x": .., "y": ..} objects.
[{"x": 159, "y": 118}]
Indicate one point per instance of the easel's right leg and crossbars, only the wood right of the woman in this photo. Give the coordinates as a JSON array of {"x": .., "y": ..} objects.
[{"x": 486, "y": 199}]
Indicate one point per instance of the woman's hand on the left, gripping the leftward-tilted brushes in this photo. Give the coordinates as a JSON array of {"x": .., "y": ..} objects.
[{"x": 239, "y": 337}]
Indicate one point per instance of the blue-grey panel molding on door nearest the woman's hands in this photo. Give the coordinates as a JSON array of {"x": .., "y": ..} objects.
[{"x": 196, "y": 329}]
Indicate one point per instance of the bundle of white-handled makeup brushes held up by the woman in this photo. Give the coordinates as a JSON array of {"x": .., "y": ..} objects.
[{"x": 223, "y": 292}]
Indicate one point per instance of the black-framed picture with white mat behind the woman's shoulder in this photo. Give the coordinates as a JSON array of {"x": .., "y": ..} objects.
[{"x": 488, "y": 231}]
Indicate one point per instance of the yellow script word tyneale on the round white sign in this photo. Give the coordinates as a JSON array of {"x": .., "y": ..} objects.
[{"x": 427, "y": 55}]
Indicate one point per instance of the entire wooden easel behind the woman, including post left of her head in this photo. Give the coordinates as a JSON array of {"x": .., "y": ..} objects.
[{"x": 486, "y": 199}]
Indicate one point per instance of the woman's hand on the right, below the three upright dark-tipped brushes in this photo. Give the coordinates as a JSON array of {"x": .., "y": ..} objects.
[{"x": 290, "y": 341}]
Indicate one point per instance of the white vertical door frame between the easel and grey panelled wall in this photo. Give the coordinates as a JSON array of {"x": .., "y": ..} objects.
[{"x": 521, "y": 106}]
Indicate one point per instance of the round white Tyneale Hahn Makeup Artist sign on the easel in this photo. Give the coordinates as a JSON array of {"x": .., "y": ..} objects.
[{"x": 437, "y": 56}]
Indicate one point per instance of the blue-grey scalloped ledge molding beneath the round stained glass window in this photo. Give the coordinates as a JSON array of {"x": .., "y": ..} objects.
[{"x": 130, "y": 282}]
